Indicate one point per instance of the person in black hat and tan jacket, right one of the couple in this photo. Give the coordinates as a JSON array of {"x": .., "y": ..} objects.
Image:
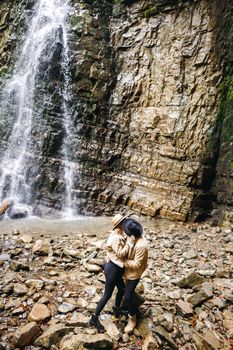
[{"x": 135, "y": 265}]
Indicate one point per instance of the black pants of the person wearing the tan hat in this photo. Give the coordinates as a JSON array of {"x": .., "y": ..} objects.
[{"x": 113, "y": 275}]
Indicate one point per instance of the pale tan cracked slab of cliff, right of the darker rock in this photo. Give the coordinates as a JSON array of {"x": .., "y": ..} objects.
[{"x": 165, "y": 102}]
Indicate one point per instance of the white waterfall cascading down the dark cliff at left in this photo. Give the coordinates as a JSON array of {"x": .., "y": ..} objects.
[{"x": 18, "y": 167}]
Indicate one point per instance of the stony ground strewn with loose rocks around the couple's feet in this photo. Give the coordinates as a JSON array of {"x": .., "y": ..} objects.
[{"x": 50, "y": 286}]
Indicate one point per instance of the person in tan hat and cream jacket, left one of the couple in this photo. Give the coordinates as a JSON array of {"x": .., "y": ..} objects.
[{"x": 118, "y": 246}]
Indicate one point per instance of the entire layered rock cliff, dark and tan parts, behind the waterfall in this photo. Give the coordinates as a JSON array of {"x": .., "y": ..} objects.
[{"x": 145, "y": 84}]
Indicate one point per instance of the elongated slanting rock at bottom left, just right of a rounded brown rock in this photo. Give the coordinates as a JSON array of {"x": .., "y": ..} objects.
[{"x": 52, "y": 335}]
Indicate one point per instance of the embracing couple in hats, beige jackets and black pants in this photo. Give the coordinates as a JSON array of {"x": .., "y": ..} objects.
[{"x": 127, "y": 255}]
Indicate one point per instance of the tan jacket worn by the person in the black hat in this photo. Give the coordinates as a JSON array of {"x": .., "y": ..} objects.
[{"x": 136, "y": 262}]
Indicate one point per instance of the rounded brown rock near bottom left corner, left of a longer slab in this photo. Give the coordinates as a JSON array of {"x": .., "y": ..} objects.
[{"x": 25, "y": 335}]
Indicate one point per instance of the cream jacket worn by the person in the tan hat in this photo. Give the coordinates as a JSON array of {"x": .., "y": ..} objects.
[{"x": 117, "y": 247}]
